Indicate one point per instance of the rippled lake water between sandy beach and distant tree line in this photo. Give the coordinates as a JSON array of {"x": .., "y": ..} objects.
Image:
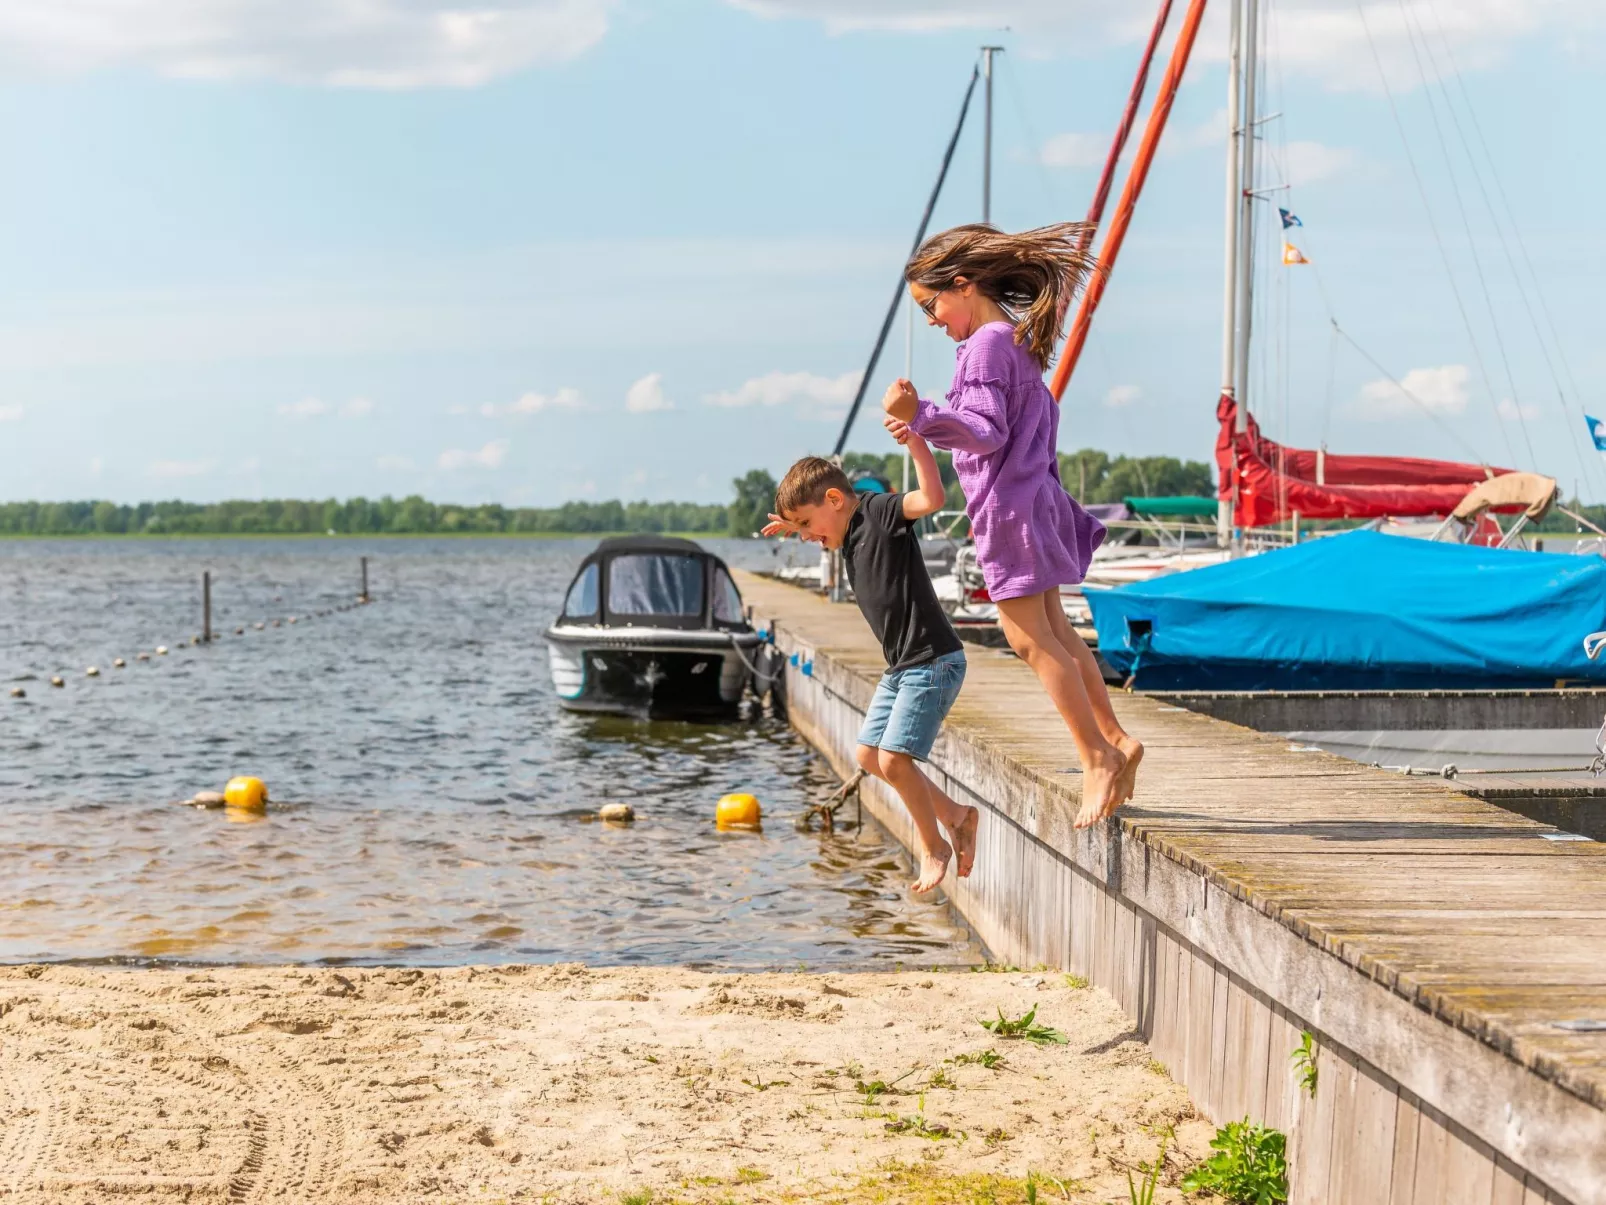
[{"x": 434, "y": 793}]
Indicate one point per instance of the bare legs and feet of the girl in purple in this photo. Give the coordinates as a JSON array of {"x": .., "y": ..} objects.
[{"x": 1025, "y": 623}]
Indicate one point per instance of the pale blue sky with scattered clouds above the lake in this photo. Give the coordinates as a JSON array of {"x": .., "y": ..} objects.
[{"x": 550, "y": 250}]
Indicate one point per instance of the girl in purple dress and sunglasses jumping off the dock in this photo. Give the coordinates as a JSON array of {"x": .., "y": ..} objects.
[{"x": 1001, "y": 298}]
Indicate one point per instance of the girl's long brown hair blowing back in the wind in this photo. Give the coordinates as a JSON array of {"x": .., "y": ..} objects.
[{"x": 1033, "y": 276}]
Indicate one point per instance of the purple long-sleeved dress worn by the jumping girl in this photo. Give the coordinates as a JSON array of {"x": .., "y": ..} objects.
[{"x": 1003, "y": 427}]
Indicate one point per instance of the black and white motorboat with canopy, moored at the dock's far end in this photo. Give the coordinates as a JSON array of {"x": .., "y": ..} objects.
[{"x": 653, "y": 627}]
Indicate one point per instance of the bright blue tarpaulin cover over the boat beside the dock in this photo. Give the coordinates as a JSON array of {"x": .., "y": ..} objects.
[{"x": 1361, "y": 611}]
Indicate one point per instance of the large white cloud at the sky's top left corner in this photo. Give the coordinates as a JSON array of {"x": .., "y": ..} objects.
[{"x": 344, "y": 44}]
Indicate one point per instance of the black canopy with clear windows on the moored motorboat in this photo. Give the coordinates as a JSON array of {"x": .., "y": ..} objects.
[{"x": 656, "y": 582}]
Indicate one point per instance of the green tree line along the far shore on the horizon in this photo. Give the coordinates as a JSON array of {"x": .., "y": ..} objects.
[{"x": 1090, "y": 475}]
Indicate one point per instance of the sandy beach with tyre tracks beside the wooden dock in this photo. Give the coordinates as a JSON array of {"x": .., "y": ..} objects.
[{"x": 571, "y": 1085}]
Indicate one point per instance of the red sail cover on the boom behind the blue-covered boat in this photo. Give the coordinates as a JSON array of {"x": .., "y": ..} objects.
[{"x": 1276, "y": 483}]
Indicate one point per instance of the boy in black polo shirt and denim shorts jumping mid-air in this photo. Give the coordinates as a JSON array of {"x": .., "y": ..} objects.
[{"x": 926, "y": 661}]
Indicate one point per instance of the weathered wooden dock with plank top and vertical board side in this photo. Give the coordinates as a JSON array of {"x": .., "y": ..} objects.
[{"x": 1448, "y": 955}]
